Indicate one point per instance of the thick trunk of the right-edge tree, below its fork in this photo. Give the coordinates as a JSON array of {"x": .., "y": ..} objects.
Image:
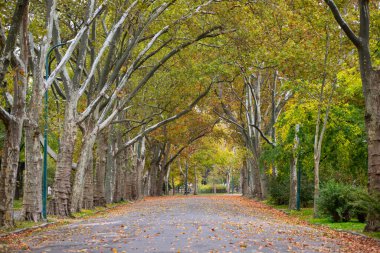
[{"x": 372, "y": 119}]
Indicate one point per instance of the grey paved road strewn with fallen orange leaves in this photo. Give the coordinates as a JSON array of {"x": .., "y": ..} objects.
[{"x": 187, "y": 224}]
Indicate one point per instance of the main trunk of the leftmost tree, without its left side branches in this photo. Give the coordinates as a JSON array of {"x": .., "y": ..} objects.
[{"x": 14, "y": 125}]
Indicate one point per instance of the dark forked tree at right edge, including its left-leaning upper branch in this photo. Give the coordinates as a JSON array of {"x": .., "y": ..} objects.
[{"x": 371, "y": 89}]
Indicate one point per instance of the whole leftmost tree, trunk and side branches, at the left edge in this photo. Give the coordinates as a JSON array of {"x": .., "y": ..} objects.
[{"x": 14, "y": 119}]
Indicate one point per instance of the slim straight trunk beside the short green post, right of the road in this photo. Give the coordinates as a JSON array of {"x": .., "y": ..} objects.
[{"x": 293, "y": 172}]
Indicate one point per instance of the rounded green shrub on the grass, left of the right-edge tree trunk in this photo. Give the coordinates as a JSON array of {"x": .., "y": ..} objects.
[{"x": 336, "y": 200}]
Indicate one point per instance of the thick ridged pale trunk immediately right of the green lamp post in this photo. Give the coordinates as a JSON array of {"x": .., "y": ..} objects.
[{"x": 61, "y": 191}]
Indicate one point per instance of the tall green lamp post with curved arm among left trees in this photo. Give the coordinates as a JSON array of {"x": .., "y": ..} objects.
[{"x": 44, "y": 172}]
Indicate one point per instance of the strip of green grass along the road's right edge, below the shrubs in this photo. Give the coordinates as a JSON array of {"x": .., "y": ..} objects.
[{"x": 307, "y": 215}]
